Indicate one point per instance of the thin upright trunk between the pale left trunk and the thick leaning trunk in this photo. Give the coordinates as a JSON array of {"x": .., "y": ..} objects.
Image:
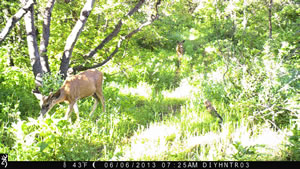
[{"x": 45, "y": 37}]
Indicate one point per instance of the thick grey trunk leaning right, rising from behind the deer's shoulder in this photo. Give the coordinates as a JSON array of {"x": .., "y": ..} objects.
[{"x": 71, "y": 41}]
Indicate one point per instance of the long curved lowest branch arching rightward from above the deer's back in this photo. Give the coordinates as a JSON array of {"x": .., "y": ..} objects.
[{"x": 151, "y": 19}]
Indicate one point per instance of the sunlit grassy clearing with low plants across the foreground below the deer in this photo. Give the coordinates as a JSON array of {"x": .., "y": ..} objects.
[{"x": 172, "y": 126}]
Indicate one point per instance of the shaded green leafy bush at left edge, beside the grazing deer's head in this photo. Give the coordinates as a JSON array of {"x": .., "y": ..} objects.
[{"x": 16, "y": 99}]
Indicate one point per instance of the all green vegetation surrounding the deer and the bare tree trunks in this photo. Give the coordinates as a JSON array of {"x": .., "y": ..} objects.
[{"x": 243, "y": 56}]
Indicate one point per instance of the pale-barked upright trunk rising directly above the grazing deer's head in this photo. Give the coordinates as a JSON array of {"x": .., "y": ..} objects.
[{"x": 32, "y": 45}]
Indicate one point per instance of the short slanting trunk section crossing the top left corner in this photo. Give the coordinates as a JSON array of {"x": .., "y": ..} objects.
[{"x": 13, "y": 20}]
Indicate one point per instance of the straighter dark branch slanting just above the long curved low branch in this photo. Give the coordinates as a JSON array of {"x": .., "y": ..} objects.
[{"x": 115, "y": 32}]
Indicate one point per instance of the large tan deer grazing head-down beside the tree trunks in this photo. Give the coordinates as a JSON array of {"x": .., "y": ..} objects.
[{"x": 88, "y": 83}]
